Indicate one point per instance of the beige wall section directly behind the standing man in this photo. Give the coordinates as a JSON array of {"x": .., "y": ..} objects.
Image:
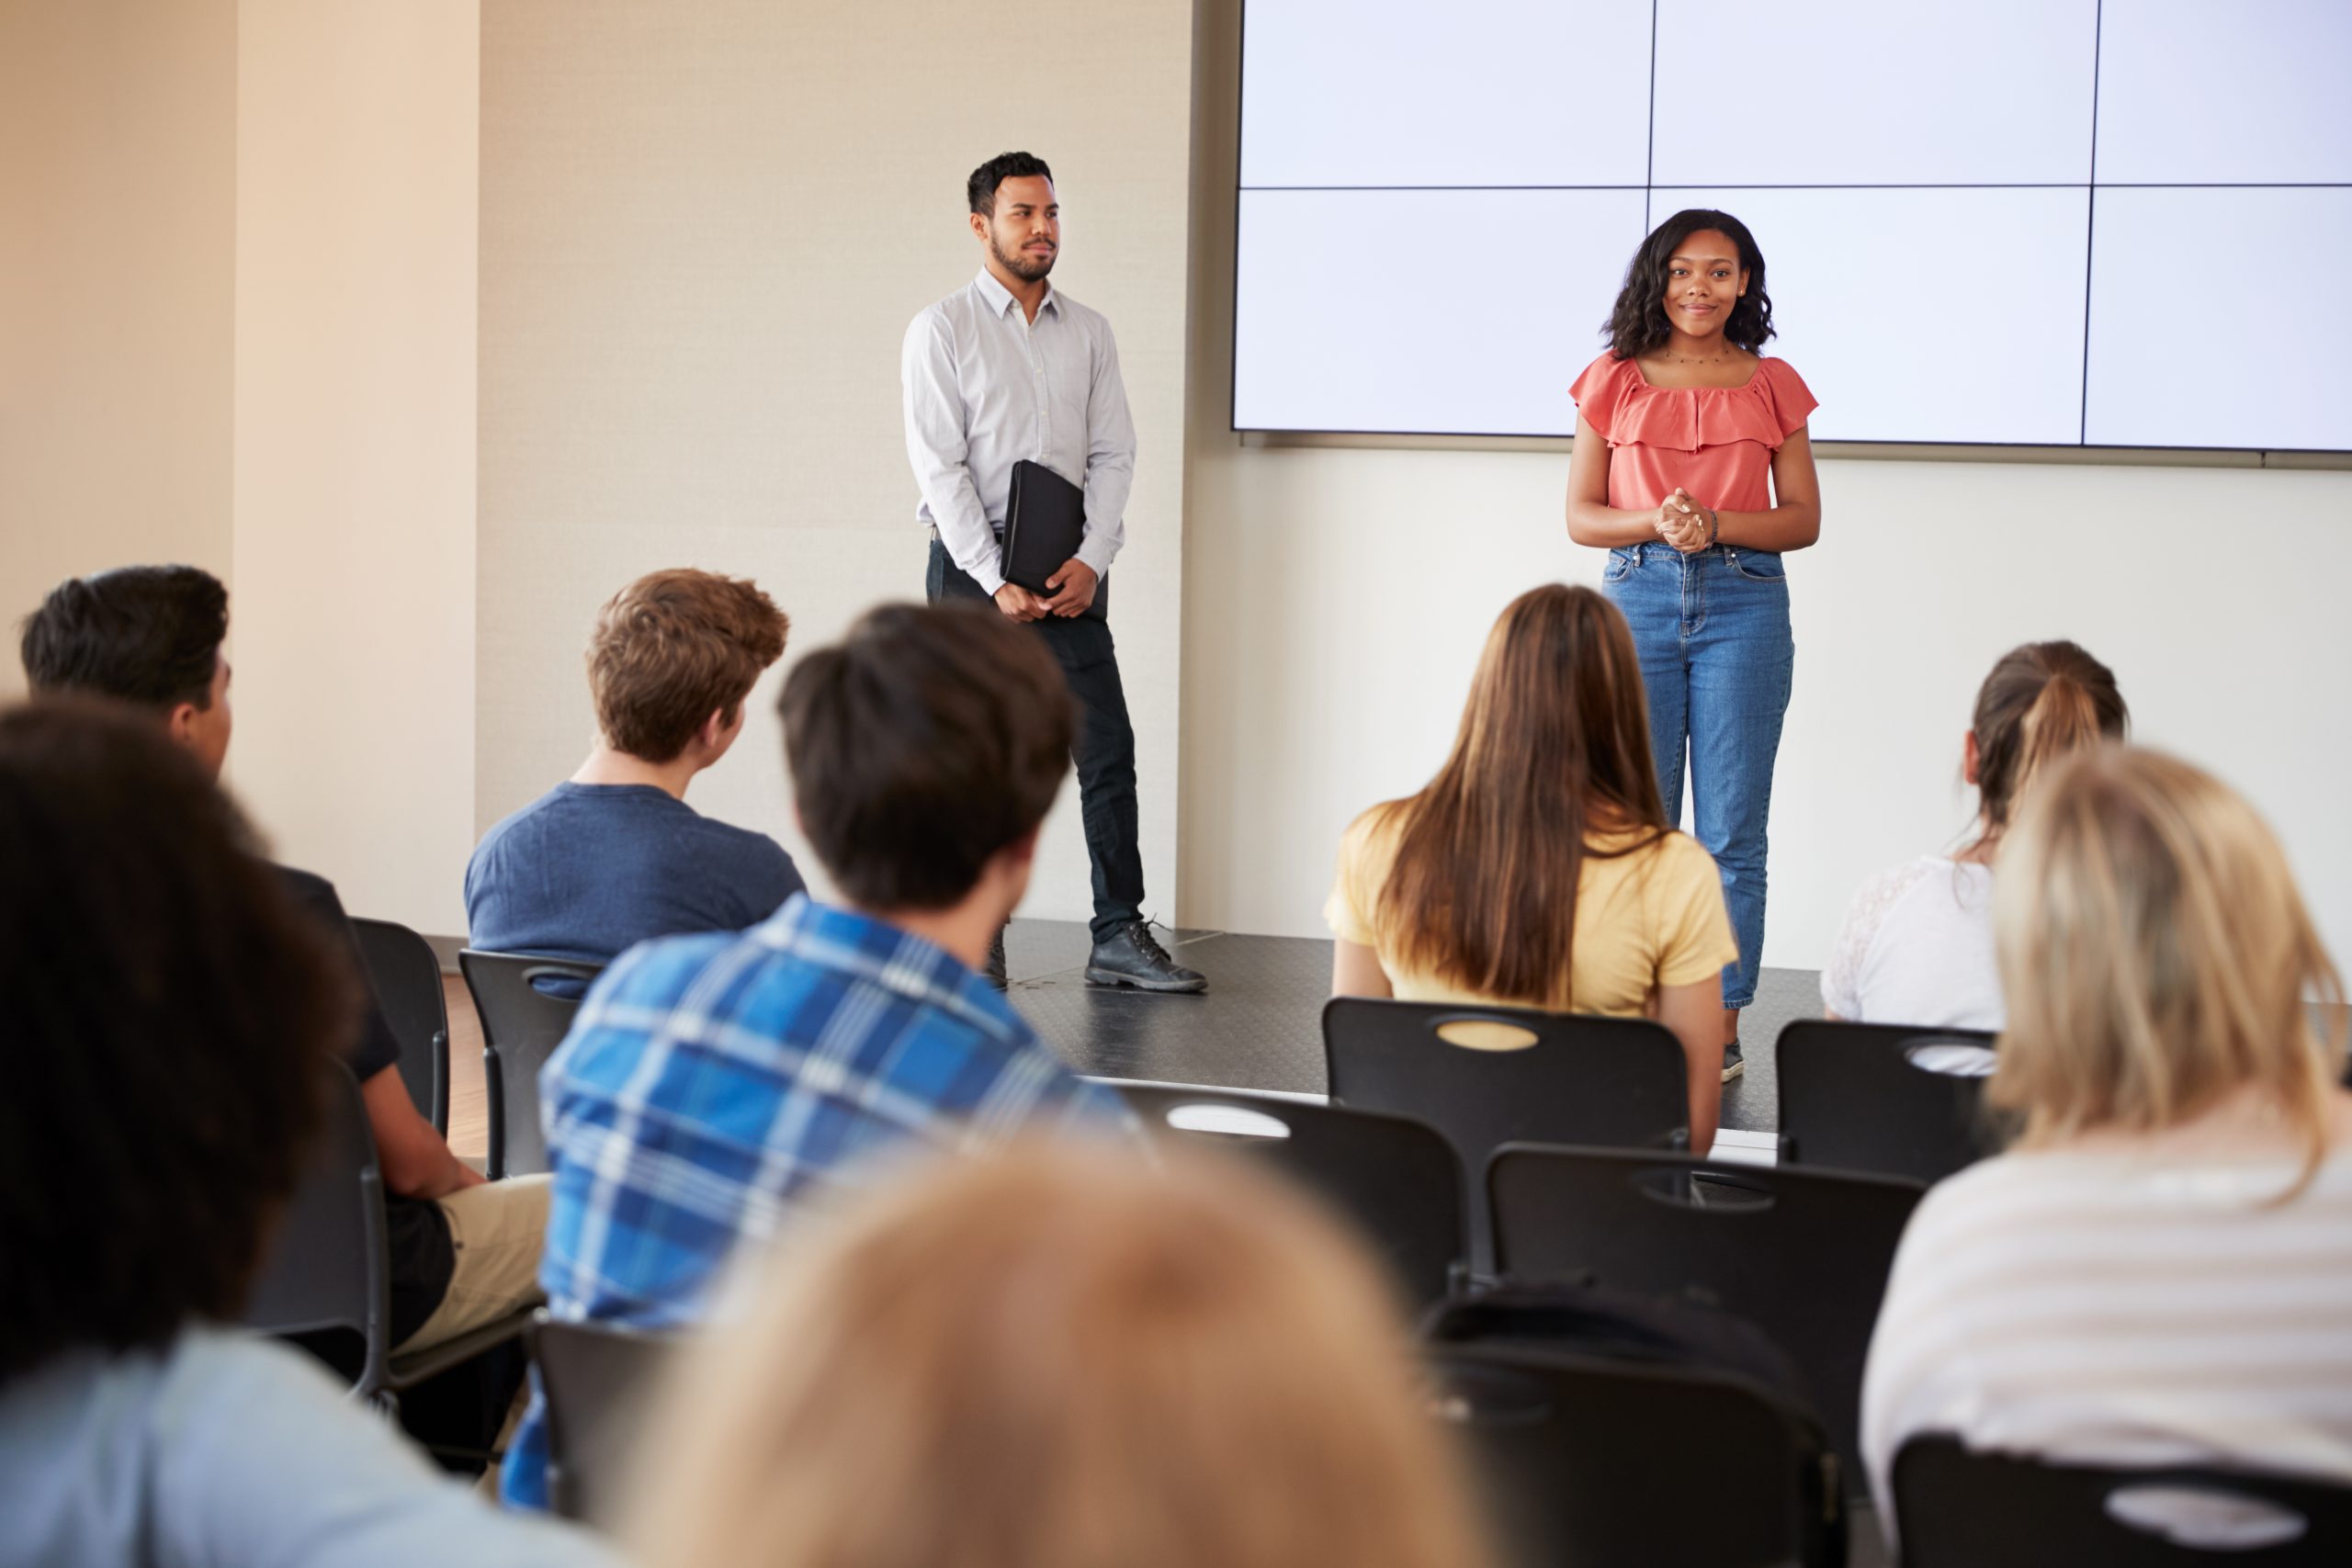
[{"x": 704, "y": 232}]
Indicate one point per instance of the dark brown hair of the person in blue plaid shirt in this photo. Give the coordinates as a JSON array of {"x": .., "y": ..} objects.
[{"x": 921, "y": 746}]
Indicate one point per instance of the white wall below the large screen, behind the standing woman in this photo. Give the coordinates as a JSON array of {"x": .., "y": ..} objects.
[{"x": 1339, "y": 598}]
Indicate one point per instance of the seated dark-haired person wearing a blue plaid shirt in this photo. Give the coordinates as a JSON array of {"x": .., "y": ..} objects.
[{"x": 716, "y": 1083}]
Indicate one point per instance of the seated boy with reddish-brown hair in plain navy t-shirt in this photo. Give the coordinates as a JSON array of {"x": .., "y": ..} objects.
[{"x": 615, "y": 855}]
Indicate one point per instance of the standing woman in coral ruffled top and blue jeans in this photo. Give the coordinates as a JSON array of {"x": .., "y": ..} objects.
[{"x": 1695, "y": 471}]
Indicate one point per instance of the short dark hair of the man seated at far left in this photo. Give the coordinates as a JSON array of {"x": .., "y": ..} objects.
[{"x": 140, "y": 636}]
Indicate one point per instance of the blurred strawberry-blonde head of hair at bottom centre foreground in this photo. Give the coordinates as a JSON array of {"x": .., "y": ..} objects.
[{"x": 1060, "y": 1360}]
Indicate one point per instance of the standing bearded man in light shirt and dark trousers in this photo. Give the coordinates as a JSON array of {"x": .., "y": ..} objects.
[{"x": 1008, "y": 370}]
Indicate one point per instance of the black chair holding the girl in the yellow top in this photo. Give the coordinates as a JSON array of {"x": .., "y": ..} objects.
[{"x": 1615, "y": 1083}]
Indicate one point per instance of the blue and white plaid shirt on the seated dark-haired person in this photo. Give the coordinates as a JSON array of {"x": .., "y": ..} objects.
[{"x": 716, "y": 1083}]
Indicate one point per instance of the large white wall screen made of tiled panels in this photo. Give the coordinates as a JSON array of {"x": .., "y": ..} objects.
[{"x": 2010, "y": 222}]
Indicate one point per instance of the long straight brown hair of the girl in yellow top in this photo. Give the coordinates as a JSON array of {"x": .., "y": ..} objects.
[{"x": 1553, "y": 746}]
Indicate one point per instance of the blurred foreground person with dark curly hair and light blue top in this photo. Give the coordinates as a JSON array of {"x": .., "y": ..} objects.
[{"x": 168, "y": 1003}]
